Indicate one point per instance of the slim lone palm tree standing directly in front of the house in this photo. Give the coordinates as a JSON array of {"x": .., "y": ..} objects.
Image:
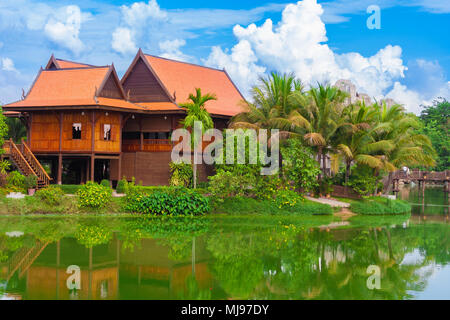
[{"x": 196, "y": 112}]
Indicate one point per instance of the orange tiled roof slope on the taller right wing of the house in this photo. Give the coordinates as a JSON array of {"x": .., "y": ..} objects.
[{"x": 182, "y": 78}]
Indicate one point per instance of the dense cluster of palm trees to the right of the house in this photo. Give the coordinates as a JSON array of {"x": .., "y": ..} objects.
[{"x": 376, "y": 136}]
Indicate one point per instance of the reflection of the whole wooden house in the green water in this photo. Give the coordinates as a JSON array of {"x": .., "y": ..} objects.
[{"x": 144, "y": 272}]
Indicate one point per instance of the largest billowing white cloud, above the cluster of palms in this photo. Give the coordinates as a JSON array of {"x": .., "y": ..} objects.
[{"x": 298, "y": 44}]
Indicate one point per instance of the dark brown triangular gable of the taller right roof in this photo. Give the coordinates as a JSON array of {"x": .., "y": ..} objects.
[{"x": 142, "y": 85}]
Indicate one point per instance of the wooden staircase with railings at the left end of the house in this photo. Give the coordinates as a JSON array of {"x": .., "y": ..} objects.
[{"x": 27, "y": 163}]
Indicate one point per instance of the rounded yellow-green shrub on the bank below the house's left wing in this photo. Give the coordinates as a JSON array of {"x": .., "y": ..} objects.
[{"x": 93, "y": 195}]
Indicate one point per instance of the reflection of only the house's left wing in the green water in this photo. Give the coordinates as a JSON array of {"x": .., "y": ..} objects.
[{"x": 47, "y": 277}]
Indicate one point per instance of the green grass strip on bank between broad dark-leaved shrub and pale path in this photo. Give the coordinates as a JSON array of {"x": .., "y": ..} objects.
[{"x": 240, "y": 205}]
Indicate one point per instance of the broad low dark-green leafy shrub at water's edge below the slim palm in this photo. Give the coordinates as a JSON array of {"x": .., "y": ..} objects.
[{"x": 175, "y": 203}]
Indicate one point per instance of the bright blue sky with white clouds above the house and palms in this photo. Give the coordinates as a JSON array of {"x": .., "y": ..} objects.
[{"x": 408, "y": 59}]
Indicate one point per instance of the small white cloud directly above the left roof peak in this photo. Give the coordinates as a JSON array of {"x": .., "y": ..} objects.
[{"x": 64, "y": 28}]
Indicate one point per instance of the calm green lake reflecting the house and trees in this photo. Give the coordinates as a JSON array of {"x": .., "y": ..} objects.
[{"x": 230, "y": 257}]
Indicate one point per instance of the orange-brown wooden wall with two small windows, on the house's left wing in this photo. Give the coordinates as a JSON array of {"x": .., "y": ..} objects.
[{"x": 45, "y": 132}]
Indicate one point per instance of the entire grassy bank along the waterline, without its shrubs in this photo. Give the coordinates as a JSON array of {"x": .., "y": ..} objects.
[{"x": 234, "y": 206}]
